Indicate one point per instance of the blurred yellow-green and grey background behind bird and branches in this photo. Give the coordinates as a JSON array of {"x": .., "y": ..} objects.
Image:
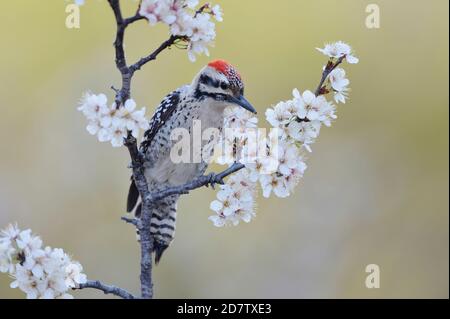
[{"x": 376, "y": 190}]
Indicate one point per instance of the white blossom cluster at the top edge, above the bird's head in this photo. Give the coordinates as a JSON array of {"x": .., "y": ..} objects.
[{"x": 185, "y": 21}]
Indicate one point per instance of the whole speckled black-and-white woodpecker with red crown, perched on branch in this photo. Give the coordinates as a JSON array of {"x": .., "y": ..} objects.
[{"x": 215, "y": 87}]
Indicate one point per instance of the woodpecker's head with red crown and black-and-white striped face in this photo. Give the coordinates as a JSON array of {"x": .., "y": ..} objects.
[{"x": 221, "y": 82}]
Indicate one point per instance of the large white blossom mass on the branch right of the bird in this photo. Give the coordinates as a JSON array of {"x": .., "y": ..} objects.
[{"x": 279, "y": 164}]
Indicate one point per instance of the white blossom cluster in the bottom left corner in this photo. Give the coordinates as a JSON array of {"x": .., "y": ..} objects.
[{"x": 45, "y": 273}]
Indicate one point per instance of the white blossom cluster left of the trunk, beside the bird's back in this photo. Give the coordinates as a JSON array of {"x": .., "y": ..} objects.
[{"x": 112, "y": 123}]
